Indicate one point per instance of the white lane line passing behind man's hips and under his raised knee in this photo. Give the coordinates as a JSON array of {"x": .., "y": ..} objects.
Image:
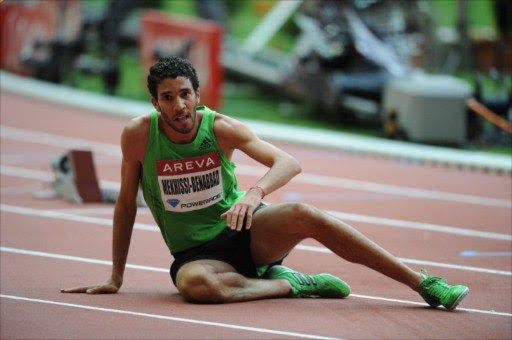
[{"x": 153, "y": 228}]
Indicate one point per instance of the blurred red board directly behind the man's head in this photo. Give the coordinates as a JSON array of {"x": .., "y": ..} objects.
[{"x": 170, "y": 32}]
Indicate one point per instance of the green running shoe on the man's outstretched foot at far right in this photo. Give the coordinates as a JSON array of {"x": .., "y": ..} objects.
[{"x": 436, "y": 291}]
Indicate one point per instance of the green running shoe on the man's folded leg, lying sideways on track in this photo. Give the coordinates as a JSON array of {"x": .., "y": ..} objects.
[{"x": 320, "y": 285}]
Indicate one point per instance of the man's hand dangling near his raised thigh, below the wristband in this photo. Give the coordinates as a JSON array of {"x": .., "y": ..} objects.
[{"x": 243, "y": 210}]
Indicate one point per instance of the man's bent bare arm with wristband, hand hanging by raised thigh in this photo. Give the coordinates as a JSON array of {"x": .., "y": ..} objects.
[{"x": 232, "y": 134}]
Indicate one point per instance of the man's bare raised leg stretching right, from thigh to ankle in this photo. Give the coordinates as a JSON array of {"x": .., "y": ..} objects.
[{"x": 278, "y": 228}]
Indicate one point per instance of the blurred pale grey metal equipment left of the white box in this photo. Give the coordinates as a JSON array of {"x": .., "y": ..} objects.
[{"x": 343, "y": 58}]
